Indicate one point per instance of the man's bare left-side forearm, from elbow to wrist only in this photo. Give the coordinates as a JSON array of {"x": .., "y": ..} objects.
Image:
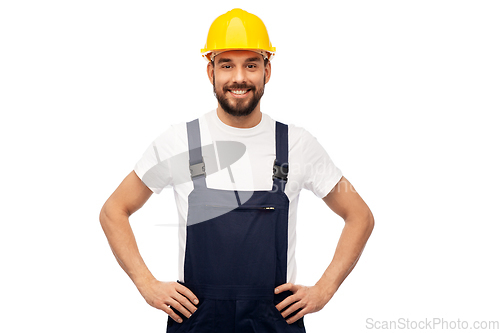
[{"x": 121, "y": 239}]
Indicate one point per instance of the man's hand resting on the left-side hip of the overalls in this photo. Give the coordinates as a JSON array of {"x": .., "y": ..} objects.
[{"x": 167, "y": 295}]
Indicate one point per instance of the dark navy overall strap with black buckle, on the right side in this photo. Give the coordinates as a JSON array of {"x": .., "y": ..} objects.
[{"x": 280, "y": 169}]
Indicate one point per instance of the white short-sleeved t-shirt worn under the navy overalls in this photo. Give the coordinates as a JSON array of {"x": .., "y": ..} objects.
[{"x": 310, "y": 167}]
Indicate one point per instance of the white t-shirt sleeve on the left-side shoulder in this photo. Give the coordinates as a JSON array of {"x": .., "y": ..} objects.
[{"x": 153, "y": 168}]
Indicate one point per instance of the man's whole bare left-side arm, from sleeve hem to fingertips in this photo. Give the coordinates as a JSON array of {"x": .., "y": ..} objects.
[{"x": 125, "y": 200}]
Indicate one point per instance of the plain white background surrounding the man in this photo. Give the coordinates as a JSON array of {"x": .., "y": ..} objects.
[{"x": 402, "y": 94}]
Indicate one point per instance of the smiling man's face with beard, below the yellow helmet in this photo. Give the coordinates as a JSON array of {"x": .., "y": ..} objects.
[{"x": 239, "y": 78}]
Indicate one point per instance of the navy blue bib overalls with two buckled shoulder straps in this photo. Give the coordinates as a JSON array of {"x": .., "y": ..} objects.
[{"x": 236, "y": 250}]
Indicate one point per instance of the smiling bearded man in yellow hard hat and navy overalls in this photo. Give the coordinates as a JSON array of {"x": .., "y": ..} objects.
[{"x": 236, "y": 226}]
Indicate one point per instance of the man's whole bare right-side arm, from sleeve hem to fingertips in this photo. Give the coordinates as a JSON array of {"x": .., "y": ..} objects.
[{"x": 359, "y": 222}]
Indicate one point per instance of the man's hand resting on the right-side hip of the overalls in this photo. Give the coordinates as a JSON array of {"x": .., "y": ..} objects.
[{"x": 305, "y": 299}]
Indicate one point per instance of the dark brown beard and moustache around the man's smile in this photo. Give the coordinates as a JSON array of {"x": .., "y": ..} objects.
[{"x": 240, "y": 107}]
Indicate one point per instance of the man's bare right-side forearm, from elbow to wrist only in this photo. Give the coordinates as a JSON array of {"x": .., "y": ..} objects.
[{"x": 352, "y": 241}]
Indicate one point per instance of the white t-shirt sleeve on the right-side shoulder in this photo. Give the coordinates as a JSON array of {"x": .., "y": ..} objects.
[{"x": 321, "y": 174}]
